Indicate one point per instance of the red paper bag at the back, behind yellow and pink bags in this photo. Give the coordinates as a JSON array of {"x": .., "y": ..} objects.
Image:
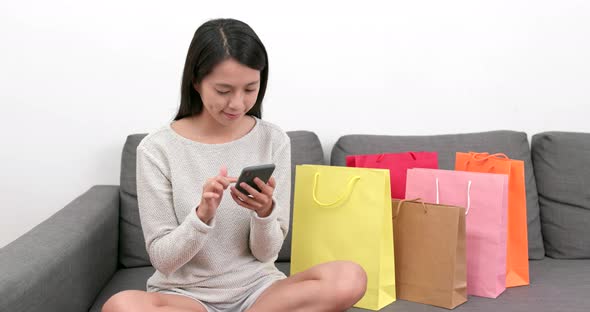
[{"x": 398, "y": 165}]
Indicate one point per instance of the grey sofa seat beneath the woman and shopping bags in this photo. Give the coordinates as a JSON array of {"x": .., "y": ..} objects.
[{"x": 556, "y": 285}]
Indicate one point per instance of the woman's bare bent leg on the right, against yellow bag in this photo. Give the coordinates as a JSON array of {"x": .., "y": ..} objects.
[{"x": 333, "y": 286}]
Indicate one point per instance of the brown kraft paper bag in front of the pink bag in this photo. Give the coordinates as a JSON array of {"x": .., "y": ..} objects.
[{"x": 430, "y": 255}]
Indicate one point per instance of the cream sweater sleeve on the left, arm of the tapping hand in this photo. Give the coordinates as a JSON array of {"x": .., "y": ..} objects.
[{"x": 170, "y": 243}]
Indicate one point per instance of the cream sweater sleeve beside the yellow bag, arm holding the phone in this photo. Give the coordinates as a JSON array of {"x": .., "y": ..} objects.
[{"x": 267, "y": 234}]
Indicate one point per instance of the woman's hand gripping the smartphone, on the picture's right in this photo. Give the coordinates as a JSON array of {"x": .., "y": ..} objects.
[{"x": 260, "y": 202}]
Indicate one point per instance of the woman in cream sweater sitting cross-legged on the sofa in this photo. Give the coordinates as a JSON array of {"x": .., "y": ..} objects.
[{"x": 211, "y": 251}]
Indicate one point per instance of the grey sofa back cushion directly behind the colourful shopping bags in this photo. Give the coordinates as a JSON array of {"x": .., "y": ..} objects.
[{"x": 514, "y": 144}]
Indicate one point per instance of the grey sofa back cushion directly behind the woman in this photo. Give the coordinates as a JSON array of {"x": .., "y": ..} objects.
[{"x": 305, "y": 149}]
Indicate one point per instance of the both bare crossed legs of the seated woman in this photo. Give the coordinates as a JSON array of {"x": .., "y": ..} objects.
[{"x": 330, "y": 287}]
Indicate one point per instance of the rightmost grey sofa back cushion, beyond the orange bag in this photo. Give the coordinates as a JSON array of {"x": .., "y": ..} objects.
[{"x": 562, "y": 170}]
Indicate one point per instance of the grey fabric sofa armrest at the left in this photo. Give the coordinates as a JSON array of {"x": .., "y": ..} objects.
[{"x": 64, "y": 262}]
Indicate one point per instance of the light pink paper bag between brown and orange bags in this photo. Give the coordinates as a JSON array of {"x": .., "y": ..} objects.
[{"x": 485, "y": 197}]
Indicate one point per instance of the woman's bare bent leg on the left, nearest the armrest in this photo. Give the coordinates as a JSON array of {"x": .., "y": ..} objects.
[{"x": 137, "y": 300}]
